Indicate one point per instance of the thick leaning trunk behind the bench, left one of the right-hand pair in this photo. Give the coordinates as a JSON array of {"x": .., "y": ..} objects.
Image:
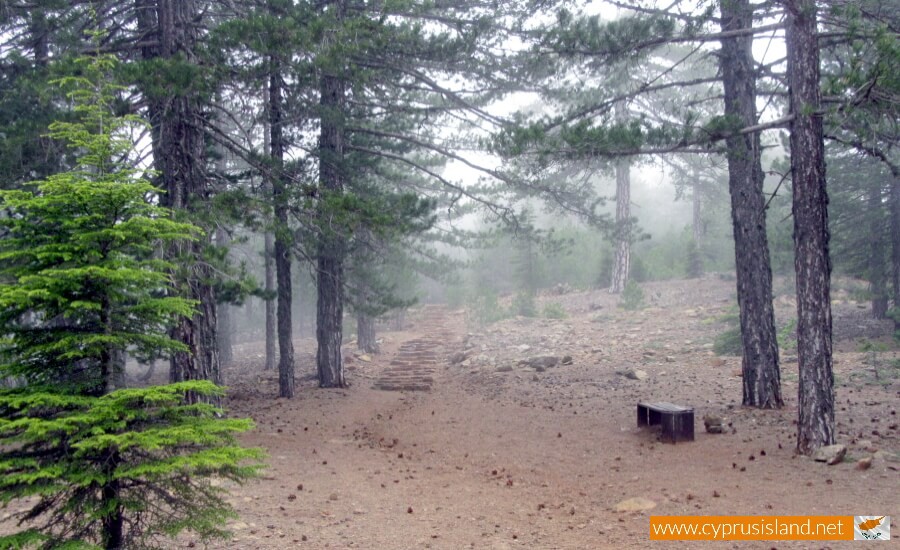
[{"x": 761, "y": 375}]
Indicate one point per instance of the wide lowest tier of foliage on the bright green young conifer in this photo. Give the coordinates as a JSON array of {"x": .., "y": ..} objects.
[{"x": 161, "y": 451}]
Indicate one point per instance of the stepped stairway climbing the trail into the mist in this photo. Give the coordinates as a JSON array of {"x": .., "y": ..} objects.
[{"x": 414, "y": 365}]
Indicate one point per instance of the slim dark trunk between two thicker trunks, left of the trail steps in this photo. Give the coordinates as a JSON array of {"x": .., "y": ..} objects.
[{"x": 282, "y": 233}]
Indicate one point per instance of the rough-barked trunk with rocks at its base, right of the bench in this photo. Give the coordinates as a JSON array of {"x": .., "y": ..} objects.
[{"x": 812, "y": 264}]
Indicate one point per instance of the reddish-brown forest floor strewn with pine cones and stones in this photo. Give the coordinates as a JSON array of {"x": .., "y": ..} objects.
[{"x": 499, "y": 454}]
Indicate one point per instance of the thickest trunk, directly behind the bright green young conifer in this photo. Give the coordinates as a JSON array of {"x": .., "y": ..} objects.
[{"x": 179, "y": 153}]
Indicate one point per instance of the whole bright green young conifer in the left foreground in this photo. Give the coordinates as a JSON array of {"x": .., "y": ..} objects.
[{"x": 80, "y": 284}]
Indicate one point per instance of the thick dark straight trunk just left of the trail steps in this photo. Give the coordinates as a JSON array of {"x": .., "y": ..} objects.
[{"x": 331, "y": 246}]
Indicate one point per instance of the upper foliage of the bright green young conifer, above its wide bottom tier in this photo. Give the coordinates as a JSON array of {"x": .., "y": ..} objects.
[{"x": 80, "y": 277}]
